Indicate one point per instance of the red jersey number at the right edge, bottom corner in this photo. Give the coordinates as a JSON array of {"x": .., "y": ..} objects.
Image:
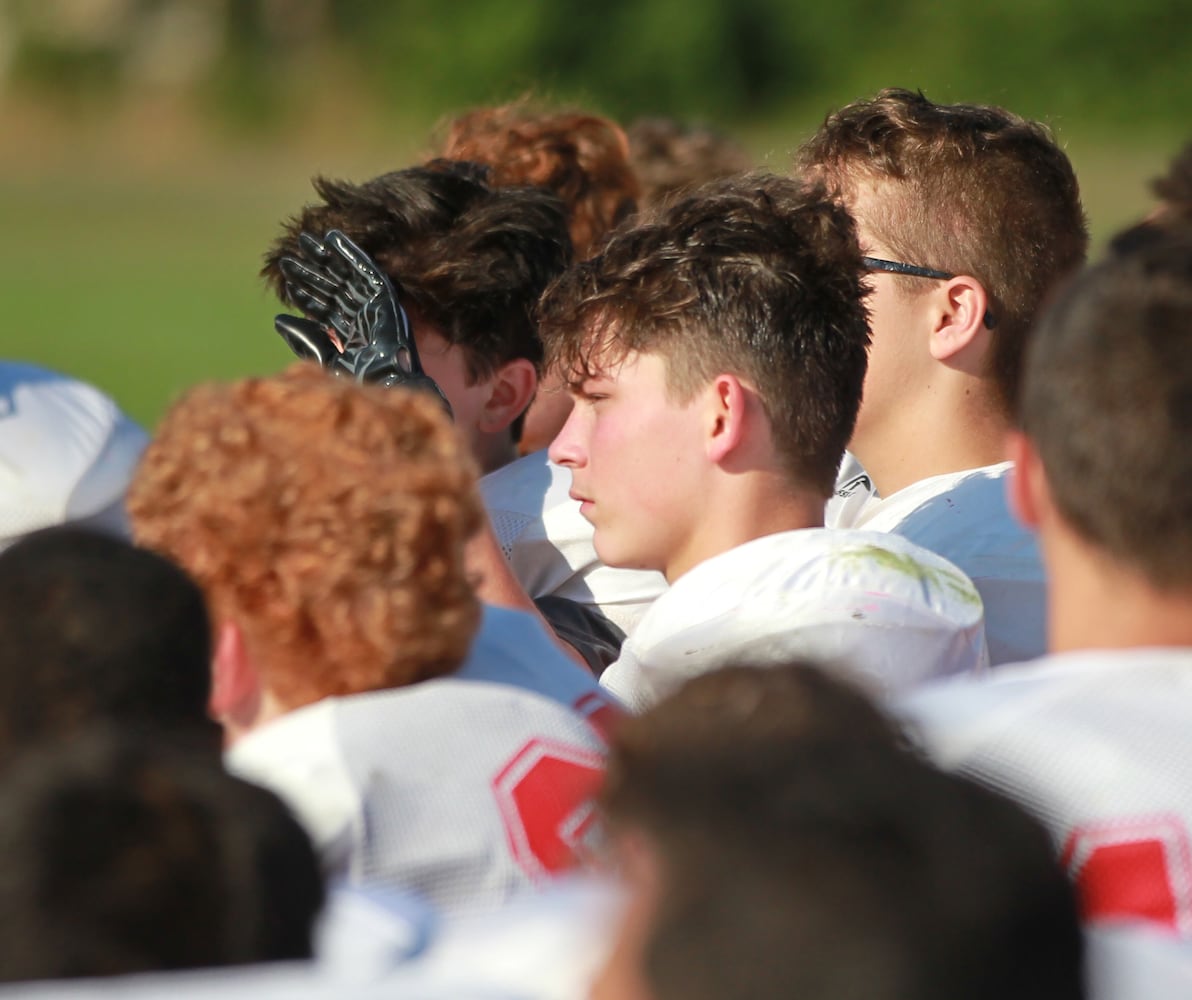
[{"x": 1140, "y": 869}]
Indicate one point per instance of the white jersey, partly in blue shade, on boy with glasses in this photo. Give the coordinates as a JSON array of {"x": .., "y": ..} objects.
[{"x": 966, "y": 518}]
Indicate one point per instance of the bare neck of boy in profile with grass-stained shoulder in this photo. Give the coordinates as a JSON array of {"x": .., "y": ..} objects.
[{"x": 746, "y": 507}]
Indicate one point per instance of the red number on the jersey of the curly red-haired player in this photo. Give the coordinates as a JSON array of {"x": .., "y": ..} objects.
[{"x": 545, "y": 797}]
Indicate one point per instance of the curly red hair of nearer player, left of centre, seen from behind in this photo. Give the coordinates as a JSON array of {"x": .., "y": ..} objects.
[{"x": 326, "y": 518}]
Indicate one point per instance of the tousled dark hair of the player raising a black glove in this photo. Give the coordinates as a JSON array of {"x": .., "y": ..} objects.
[{"x": 468, "y": 258}]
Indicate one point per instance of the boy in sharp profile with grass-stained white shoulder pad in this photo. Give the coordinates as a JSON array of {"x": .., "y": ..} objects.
[{"x": 717, "y": 356}]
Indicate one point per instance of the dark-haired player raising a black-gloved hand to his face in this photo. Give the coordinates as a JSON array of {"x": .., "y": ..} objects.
[{"x": 469, "y": 262}]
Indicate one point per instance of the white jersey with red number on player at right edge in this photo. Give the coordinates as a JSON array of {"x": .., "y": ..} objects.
[{"x": 1098, "y": 746}]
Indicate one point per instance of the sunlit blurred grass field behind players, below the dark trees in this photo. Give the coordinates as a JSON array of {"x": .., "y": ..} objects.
[{"x": 134, "y": 265}]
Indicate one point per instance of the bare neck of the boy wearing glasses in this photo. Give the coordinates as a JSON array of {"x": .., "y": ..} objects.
[{"x": 954, "y": 428}]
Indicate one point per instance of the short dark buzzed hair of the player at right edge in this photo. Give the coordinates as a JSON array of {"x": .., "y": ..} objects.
[{"x": 1108, "y": 403}]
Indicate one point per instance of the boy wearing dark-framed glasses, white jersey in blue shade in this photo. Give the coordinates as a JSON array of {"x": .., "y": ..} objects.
[{"x": 968, "y": 216}]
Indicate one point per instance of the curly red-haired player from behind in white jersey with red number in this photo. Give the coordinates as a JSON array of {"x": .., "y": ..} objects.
[{"x": 327, "y": 523}]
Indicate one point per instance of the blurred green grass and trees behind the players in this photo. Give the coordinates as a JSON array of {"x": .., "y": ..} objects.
[{"x": 151, "y": 148}]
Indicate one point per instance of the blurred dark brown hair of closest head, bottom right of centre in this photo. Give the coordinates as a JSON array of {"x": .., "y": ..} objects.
[{"x": 803, "y": 858}]
